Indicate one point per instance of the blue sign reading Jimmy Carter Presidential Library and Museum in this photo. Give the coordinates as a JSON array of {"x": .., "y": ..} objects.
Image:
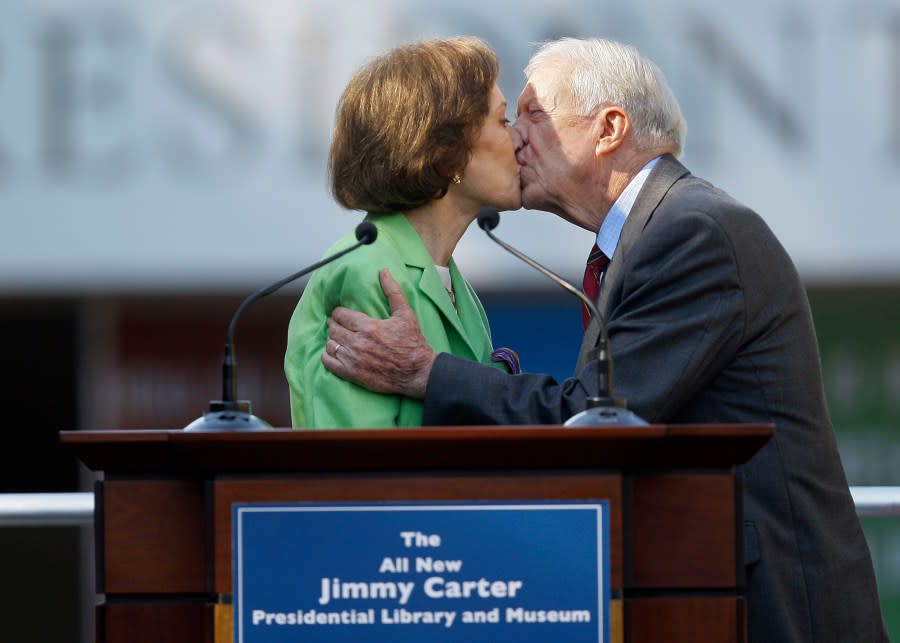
[{"x": 414, "y": 572}]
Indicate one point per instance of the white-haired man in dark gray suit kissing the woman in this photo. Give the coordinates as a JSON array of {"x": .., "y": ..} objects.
[{"x": 707, "y": 319}]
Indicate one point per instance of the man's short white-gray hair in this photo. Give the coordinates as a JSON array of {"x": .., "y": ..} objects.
[{"x": 605, "y": 72}]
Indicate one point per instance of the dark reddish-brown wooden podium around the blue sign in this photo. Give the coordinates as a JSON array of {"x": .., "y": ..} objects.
[{"x": 163, "y": 511}]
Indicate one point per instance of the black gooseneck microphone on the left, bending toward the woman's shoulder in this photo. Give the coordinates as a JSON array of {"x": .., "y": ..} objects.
[{"x": 230, "y": 413}]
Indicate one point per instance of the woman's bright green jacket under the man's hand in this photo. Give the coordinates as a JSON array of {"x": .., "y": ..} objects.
[{"x": 320, "y": 399}]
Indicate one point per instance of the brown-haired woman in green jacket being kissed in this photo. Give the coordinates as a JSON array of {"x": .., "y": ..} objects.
[{"x": 421, "y": 142}]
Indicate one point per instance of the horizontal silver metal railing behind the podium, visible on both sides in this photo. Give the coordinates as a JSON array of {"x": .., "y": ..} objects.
[{"x": 77, "y": 509}]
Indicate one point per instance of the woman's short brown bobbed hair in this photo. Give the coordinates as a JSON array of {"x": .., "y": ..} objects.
[{"x": 407, "y": 121}]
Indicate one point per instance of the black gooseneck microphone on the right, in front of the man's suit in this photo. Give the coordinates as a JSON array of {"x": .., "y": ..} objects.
[{"x": 602, "y": 408}]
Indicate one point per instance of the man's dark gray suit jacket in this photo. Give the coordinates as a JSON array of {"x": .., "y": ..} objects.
[{"x": 709, "y": 323}]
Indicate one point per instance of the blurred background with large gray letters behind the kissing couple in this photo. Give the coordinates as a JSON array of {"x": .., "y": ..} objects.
[{"x": 160, "y": 160}]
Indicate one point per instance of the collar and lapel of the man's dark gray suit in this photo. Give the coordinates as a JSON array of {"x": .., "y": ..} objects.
[{"x": 662, "y": 177}]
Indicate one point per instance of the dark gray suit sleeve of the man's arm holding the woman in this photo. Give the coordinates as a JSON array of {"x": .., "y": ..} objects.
[{"x": 678, "y": 319}]
